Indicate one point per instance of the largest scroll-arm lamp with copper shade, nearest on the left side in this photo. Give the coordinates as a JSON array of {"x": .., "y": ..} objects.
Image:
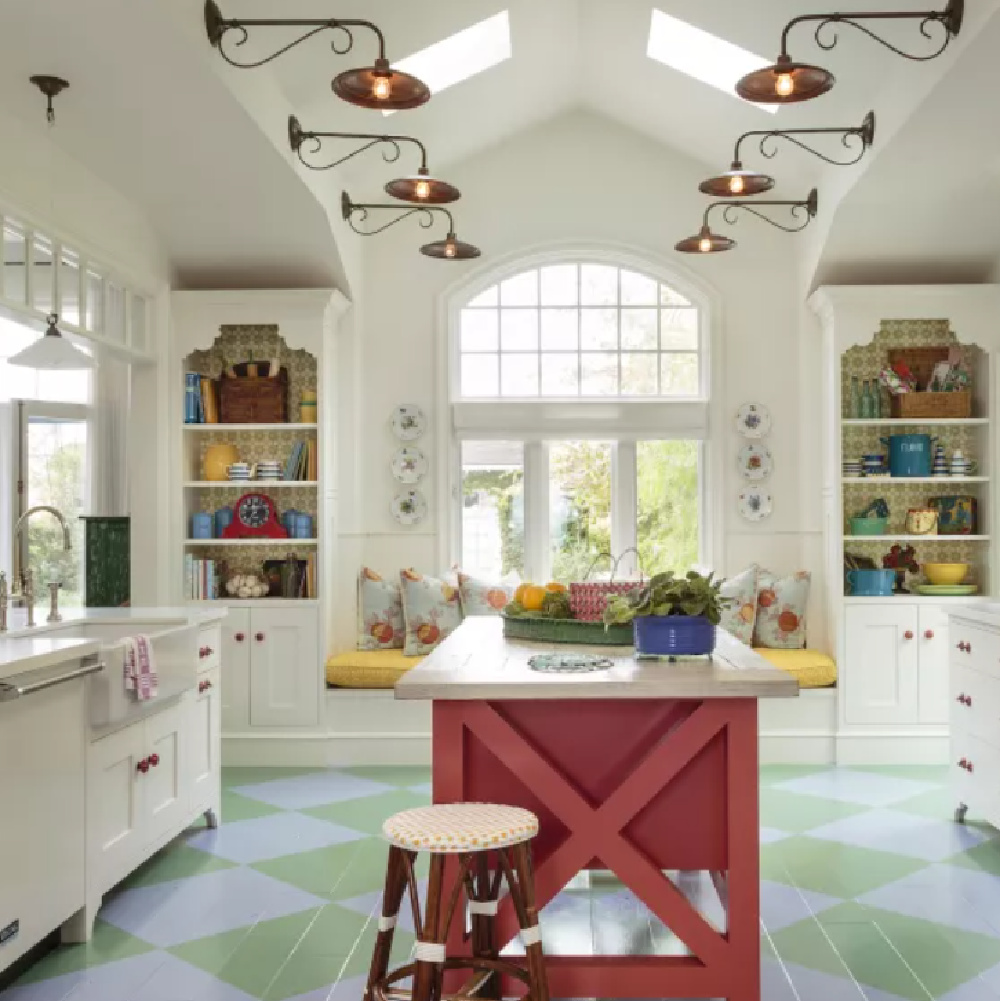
[{"x": 378, "y": 87}]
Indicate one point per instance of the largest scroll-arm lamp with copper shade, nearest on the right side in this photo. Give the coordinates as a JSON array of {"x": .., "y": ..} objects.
[{"x": 787, "y": 82}]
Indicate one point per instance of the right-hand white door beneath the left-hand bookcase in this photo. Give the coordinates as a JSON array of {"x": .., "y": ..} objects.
[{"x": 285, "y": 667}]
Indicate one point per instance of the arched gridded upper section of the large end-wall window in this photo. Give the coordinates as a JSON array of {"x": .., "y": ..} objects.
[{"x": 580, "y": 330}]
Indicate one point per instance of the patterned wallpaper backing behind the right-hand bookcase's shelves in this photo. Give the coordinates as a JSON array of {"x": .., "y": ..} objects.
[{"x": 865, "y": 363}]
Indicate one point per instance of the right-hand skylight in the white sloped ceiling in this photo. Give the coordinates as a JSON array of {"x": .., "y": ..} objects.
[{"x": 700, "y": 55}]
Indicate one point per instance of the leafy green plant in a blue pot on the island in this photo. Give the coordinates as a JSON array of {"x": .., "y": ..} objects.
[{"x": 671, "y": 616}]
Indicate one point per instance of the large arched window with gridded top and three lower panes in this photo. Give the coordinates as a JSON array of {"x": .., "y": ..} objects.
[{"x": 579, "y": 405}]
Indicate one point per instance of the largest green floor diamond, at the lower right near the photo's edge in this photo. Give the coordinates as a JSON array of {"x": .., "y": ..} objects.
[{"x": 905, "y": 956}]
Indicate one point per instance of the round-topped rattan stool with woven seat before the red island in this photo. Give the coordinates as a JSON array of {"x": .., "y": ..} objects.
[{"x": 474, "y": 833}]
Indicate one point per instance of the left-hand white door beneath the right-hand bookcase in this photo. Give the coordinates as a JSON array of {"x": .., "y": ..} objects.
[{"x": 881, "y": 678}]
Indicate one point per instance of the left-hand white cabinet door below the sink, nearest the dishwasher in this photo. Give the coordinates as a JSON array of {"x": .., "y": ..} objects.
[{"x": 116, "y": 787}]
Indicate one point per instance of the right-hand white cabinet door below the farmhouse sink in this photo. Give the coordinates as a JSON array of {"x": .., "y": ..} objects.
[{"x": 166, "y": 784}]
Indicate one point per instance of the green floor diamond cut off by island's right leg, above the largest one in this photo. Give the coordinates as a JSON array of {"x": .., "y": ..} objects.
[{"x": 833, "y": 868}]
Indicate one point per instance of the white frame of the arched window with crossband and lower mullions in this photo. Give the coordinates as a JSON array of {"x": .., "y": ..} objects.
[{"x": 624, "y": 421}]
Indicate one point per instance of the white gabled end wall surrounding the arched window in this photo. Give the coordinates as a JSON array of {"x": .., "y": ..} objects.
[{"x": 579, "y": 179}]
